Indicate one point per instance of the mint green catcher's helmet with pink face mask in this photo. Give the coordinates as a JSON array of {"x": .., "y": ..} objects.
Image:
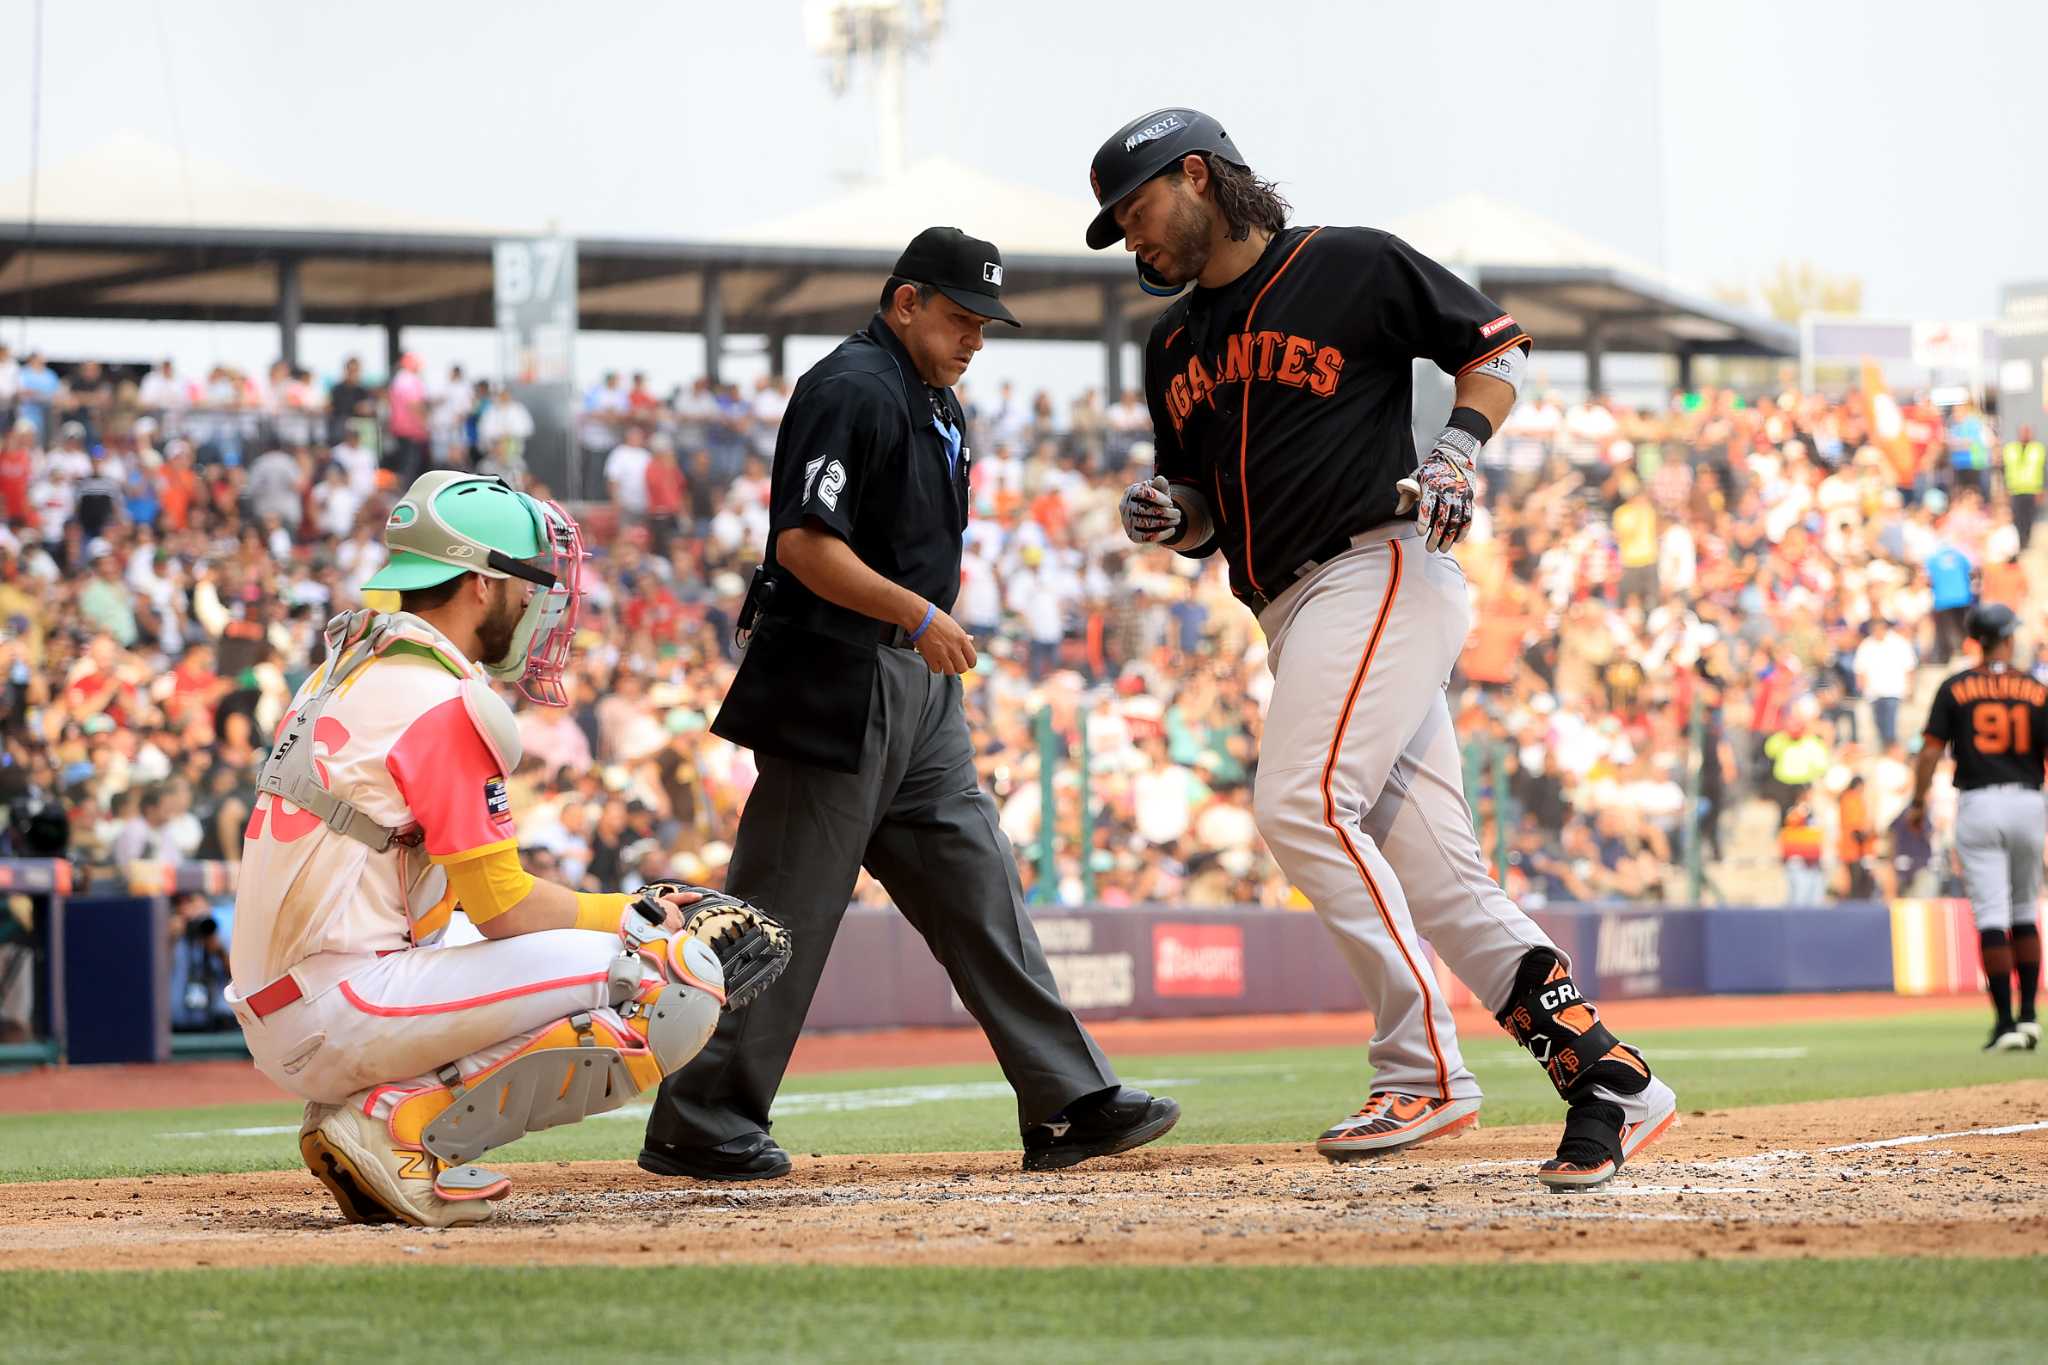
[{"x": 456, "y": 523}]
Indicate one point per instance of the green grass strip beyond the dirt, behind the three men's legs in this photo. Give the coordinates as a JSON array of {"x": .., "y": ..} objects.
[{"x": 1283, "y": 1096}]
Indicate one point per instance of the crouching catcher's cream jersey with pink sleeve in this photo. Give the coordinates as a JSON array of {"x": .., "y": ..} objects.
[{"x": 398, "y": 744}]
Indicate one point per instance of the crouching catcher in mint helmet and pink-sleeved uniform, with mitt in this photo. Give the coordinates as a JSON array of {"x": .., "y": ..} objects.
[{"x": 380, "y": 813}]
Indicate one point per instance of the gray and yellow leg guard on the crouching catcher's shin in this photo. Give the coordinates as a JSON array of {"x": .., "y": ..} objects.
[{"x": 572, "y": 1069}]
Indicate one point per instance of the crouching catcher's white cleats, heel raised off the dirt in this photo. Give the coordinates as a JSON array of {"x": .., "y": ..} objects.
[{"x": 378, "y": 1182}]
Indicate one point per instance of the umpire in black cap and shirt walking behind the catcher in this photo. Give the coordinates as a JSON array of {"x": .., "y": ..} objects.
[{"x": 851, "y": 699}]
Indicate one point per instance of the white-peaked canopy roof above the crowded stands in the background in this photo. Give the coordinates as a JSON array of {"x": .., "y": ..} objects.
[{"x": 132, "y": 230}]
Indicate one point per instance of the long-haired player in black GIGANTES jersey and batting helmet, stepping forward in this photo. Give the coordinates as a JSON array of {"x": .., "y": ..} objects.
[{"x": 1281, "y": 398}]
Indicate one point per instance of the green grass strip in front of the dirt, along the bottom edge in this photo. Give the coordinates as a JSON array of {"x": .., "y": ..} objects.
[{"x": 1785, "y": 1311}]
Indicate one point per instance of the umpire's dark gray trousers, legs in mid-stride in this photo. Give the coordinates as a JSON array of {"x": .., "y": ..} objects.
[{"x": 919, "y": 820}]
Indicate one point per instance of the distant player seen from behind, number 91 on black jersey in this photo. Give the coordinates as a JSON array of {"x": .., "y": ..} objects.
[{"x": 1996, "y": 719}]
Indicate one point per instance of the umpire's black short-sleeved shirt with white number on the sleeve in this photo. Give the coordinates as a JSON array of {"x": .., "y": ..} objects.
[{"x": 873, "y": 453}]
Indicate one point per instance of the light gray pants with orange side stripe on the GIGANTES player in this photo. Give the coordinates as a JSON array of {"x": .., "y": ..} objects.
[{"x": 1361, "y": 797}]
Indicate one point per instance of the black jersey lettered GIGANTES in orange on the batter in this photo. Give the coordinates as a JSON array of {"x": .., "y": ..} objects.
[{"x": 1287, "y": 396}]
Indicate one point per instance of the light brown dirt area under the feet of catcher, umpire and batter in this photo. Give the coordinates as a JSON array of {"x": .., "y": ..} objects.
[{"x": 1934, "y": 1174}]
